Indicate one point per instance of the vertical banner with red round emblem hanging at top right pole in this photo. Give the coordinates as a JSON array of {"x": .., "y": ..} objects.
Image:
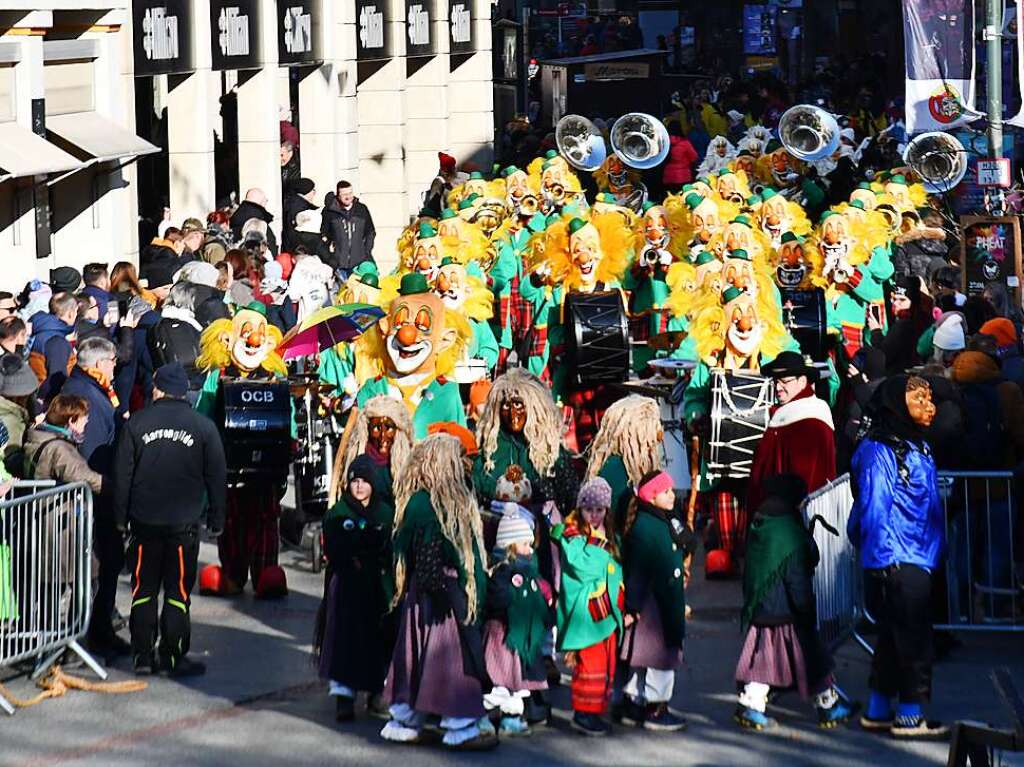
[{"x": 940, "y": 38}]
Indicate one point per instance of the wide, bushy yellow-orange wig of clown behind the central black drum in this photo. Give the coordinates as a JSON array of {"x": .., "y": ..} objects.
[{"x": 553, "y": 247}]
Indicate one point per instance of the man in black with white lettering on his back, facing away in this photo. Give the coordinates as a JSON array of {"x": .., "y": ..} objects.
[{"x": 170, "y": 461}]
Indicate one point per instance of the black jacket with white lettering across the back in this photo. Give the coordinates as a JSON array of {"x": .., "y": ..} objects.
[{"x": 170, "y": 460}]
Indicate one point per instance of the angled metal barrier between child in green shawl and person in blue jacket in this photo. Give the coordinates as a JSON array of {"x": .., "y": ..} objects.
[{"x": 838, "y": 586}]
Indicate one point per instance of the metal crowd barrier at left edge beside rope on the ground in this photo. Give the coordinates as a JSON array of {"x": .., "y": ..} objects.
[{"x": 46, "y": 576}]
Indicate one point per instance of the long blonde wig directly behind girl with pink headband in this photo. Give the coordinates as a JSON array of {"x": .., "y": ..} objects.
[{"x": 631, "y": 430}]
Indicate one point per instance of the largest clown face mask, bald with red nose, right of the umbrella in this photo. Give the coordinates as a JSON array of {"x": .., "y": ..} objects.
[{"x": 415, "y": 334}]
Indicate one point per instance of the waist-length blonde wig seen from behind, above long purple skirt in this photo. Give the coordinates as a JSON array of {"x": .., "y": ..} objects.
[{"x": 436, "y": 466}]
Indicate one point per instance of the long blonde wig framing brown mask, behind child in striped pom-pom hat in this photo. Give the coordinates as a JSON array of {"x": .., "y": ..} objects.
[{"x": 544, "y": 423}]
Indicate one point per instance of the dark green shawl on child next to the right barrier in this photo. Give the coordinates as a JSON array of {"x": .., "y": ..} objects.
[{"x": 775, "y": 540}]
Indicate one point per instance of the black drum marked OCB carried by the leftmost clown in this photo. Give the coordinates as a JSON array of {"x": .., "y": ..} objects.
[{"x": 255, "y": 419}]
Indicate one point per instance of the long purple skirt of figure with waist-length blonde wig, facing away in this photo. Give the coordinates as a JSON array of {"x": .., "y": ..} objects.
[{"x": 428, "y": 669}]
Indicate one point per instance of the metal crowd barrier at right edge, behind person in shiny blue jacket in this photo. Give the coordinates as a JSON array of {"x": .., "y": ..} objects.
[{"x": 985, "y": 580}]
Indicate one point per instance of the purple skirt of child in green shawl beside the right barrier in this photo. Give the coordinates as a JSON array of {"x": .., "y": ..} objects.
[{"x": 774, "y": 656}]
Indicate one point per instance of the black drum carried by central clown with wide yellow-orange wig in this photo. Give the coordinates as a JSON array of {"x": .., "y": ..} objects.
[{"x": 599, "y": 340}]
